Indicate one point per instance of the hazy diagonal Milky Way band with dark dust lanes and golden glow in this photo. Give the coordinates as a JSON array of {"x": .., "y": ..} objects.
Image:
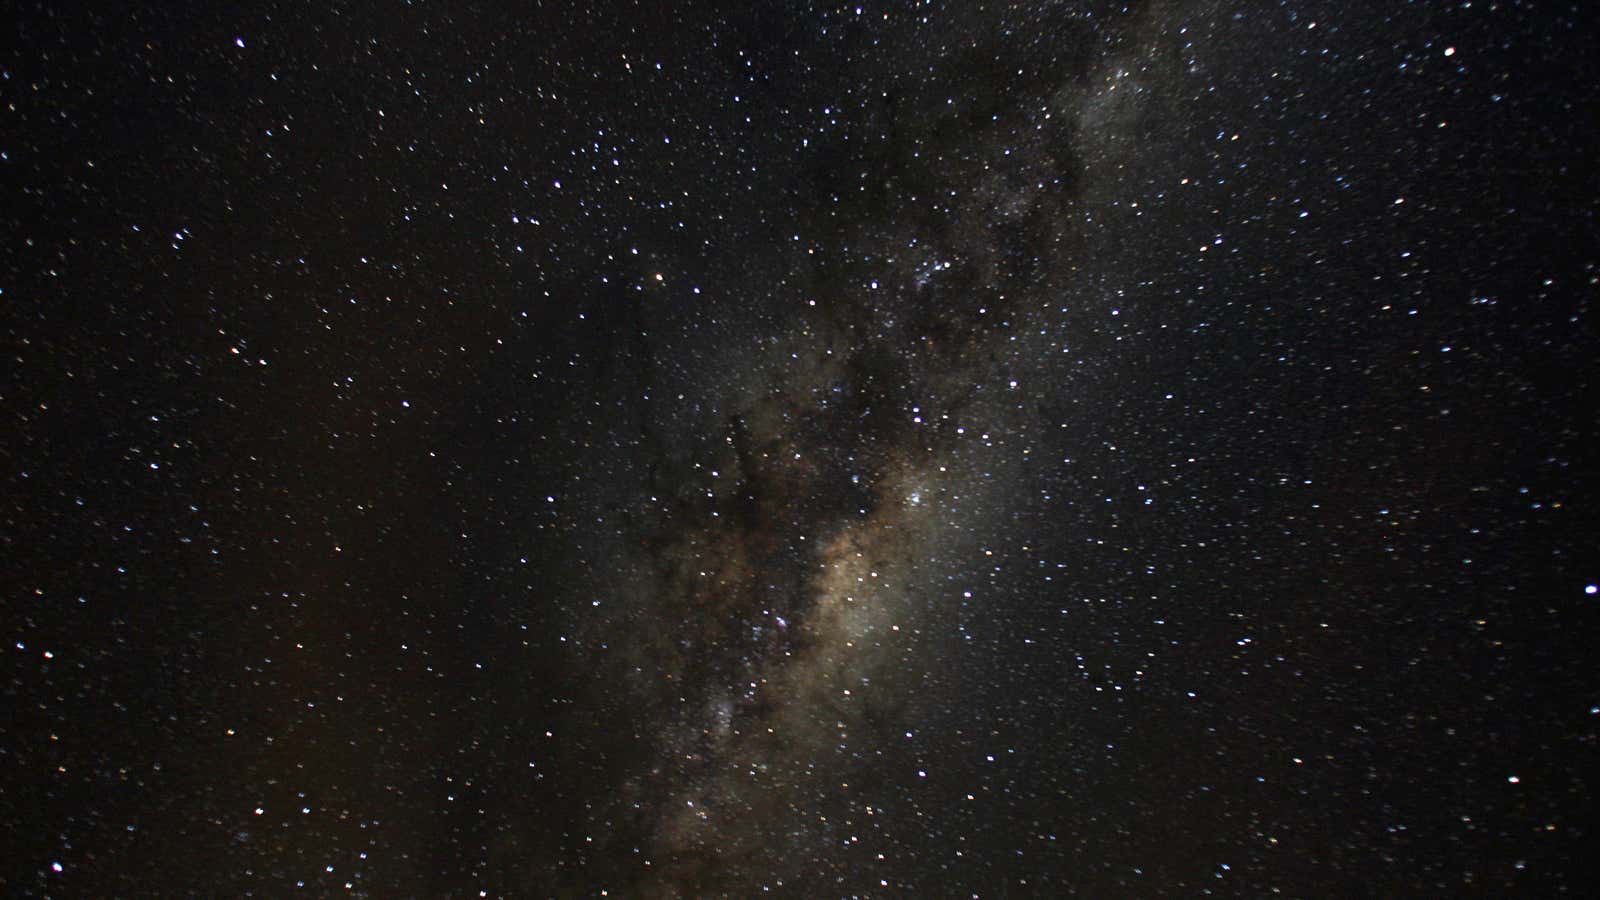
[{"x": 794, "y": 579}]
